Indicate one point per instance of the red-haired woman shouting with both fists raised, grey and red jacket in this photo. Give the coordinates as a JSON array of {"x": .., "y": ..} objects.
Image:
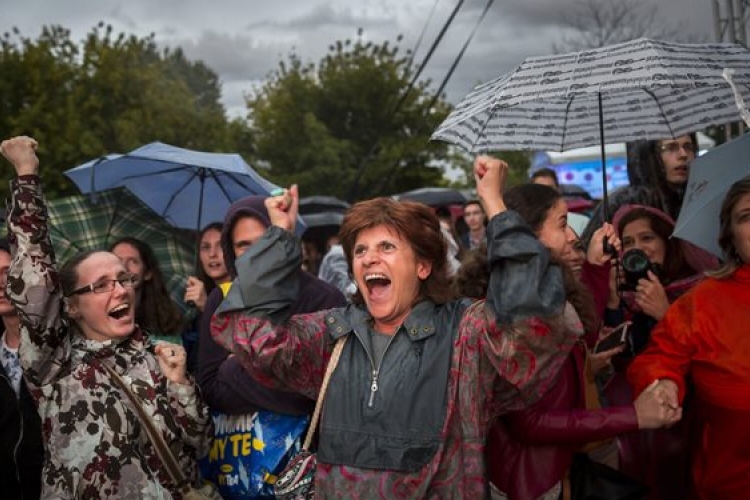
[{"x": 421, "y": 375}]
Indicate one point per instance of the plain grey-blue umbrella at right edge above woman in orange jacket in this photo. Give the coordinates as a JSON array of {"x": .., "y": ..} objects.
[{"x": 711, "y": 175}]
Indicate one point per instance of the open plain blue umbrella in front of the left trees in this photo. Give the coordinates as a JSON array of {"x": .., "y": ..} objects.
[{"x": 188, "y": 188}]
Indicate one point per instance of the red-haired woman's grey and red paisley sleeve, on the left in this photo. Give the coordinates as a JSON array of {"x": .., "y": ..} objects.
[{"x": 254, "y": 322}]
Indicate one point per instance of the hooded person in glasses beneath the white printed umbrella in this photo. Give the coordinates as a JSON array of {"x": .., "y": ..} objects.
[{"x": 658, "y": 172}]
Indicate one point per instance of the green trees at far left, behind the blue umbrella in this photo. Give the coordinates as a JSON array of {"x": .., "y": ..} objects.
[{"x": 110, "y": 93}]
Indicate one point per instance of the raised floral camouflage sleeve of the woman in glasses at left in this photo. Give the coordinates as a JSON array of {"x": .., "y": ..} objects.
[{"x": 33, "y": 286}]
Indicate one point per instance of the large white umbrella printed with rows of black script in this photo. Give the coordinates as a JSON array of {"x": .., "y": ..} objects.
[{"x": 642, "y": 89}]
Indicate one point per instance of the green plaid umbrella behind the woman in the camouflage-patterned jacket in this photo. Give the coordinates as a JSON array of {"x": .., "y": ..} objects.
[{"x": 78, "y": 224}]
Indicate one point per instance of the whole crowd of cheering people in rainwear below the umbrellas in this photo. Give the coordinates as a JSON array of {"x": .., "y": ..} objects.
[{"x": 502, "y": 362}]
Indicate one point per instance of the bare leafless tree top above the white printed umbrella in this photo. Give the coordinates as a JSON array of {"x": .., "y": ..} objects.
[{"x": 596, "y": 23}]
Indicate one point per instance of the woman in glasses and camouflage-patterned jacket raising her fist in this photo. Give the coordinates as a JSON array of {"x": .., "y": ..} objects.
[{"x": 74, "y": 324}]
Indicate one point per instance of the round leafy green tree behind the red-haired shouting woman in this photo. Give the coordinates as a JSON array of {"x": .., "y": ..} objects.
[{"x": 346, "y": 126}]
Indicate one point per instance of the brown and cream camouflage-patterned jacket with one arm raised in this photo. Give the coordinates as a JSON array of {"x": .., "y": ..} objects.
[{"x": 95, "y": 445}]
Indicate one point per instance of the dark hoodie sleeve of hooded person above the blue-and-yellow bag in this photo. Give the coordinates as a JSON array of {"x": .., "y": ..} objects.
[{"x": 226, "y": 385}]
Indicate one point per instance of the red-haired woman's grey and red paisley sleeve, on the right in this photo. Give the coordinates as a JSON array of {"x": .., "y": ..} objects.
[{"x": 525, "y": 337}]
